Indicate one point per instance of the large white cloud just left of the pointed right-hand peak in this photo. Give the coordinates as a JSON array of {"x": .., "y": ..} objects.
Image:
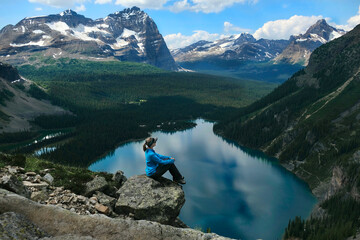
[{"x": 284, "y": 28}]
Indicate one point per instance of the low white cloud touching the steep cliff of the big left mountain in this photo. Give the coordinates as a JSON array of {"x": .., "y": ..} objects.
[{"x": 178, "y": 40}]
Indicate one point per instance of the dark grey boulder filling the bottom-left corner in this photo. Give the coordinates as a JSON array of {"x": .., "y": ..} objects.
[{"x": 16, "y": 226}]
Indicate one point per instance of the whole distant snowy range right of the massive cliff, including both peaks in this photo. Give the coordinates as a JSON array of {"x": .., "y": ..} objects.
[{"x": 245, "y": 47}]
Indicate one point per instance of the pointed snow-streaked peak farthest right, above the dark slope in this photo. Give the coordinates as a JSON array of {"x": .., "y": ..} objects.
[{"x": 301, "y": 46}]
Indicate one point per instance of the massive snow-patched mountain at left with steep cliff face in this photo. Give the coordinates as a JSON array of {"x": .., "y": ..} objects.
[{"x": 129, "y": 35}]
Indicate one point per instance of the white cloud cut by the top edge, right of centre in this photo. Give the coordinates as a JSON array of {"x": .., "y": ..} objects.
[{"x": 206, "y": 6}]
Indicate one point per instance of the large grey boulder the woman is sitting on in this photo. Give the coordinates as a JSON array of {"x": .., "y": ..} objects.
[{"x": 149, "y": 199}]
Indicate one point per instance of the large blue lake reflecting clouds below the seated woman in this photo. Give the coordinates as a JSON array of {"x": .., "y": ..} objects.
[{"x": 234, "y": 191}]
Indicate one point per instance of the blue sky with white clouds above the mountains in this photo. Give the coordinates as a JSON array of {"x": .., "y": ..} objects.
[{"x": 183, "y": 22}]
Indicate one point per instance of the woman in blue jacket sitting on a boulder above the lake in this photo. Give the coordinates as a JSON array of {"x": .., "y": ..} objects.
[{"x": 157, "y": 165}]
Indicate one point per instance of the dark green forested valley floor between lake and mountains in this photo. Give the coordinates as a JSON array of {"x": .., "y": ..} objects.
[{"x": 114, "y": 102}]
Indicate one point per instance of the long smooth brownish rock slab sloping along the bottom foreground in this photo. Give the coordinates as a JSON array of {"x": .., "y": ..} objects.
[{"x": 63, "y": 224}]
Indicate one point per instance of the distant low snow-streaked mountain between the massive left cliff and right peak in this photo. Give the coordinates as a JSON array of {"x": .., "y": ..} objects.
[{"x": 243, "y": 46}]
